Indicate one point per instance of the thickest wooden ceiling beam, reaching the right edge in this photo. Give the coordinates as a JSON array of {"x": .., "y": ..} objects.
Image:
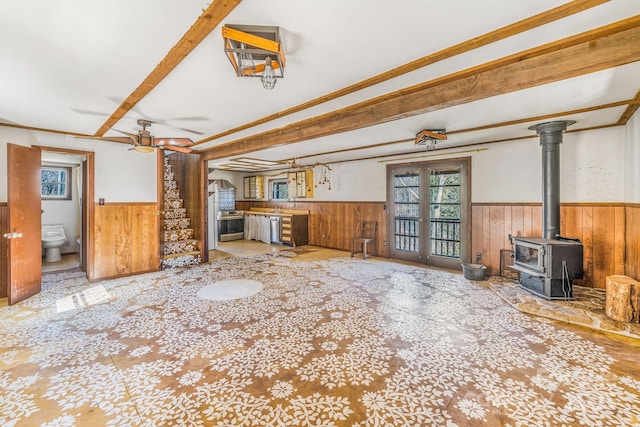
[{"x": 606, "y": 47}]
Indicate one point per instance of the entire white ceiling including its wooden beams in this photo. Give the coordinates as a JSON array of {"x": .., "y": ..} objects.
[{"x": 362, "y": 77}]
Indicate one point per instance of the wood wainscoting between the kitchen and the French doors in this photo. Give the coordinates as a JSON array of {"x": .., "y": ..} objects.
[{"x": 333, "y": 224}]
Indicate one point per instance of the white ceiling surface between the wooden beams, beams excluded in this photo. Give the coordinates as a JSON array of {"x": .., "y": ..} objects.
[{"x": 68, "y": 65}]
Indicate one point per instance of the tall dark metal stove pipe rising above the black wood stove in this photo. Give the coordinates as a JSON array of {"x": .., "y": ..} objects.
[{"x": 550, "y": 139}]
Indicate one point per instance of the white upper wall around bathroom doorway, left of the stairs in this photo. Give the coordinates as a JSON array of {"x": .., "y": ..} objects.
[{"x": 120, "y": 175}]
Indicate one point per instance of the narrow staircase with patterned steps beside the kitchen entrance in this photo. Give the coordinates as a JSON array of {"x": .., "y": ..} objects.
[{"x": 179, "y": 248}]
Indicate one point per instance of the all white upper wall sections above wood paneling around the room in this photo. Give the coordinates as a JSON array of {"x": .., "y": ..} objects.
[{"x": 596, "y": 166}]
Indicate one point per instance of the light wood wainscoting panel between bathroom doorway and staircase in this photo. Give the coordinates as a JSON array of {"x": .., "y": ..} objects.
[{"x": 126, "y": 239}]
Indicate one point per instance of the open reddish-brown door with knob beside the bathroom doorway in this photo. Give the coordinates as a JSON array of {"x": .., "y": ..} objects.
[{"x": 24, "y": 231}]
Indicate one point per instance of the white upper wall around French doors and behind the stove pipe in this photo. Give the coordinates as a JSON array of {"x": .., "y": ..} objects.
[{"x": 509, "y": 172}]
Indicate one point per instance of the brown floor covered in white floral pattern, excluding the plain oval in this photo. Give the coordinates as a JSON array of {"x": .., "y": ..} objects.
[{"x": 330, "y": 342}]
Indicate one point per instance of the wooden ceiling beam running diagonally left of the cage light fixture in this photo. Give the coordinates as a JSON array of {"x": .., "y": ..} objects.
[{"x": 210, "y": 19}]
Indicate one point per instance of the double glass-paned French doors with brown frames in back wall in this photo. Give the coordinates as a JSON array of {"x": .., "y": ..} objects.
[{"x": 429, "y": 212}]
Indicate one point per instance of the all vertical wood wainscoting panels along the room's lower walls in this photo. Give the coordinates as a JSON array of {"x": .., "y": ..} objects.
[{"x": 126, "y": 239}]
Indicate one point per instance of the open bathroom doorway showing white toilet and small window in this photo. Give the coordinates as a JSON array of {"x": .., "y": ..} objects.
[{"x": 64, "y": 209}]
